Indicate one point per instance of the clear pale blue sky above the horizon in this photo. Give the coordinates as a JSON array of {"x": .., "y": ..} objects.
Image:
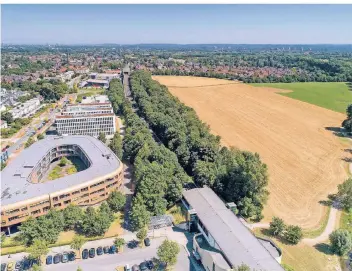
[{"x": 181, "y": 24}]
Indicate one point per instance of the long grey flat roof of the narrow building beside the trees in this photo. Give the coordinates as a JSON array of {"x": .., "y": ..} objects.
[{"x": 236, "y": 242}]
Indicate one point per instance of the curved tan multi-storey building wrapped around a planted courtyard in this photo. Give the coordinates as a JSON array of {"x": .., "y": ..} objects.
[{"x": 26, "y": 192}]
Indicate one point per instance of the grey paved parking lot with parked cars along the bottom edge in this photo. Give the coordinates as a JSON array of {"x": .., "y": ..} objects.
[{"x": 132, "y": 254}]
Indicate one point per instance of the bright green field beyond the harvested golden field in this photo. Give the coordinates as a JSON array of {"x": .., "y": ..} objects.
[{"x": 331, "y": 95}]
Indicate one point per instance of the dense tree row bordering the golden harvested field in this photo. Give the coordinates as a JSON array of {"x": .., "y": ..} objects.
[{"x": 236, "y": 175}]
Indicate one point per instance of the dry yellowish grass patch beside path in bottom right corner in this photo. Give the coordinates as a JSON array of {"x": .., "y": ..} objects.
[{"x": 302, "y": 257}]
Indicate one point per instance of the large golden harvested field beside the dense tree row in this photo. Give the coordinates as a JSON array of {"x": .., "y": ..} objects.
[{"x": 304, "y": 158}]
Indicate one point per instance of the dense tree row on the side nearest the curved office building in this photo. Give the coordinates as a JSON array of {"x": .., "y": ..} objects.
[{"x": 159, "y": 177}]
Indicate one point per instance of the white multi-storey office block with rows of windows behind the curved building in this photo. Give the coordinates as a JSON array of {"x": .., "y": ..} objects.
[{"x": 86, "y": 119}]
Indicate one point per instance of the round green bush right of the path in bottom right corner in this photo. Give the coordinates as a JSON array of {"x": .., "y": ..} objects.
[{"x": 341, "y": 241}]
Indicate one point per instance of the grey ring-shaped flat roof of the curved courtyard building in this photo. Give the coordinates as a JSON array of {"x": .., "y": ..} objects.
[{"x": 15, "y": 186}]
